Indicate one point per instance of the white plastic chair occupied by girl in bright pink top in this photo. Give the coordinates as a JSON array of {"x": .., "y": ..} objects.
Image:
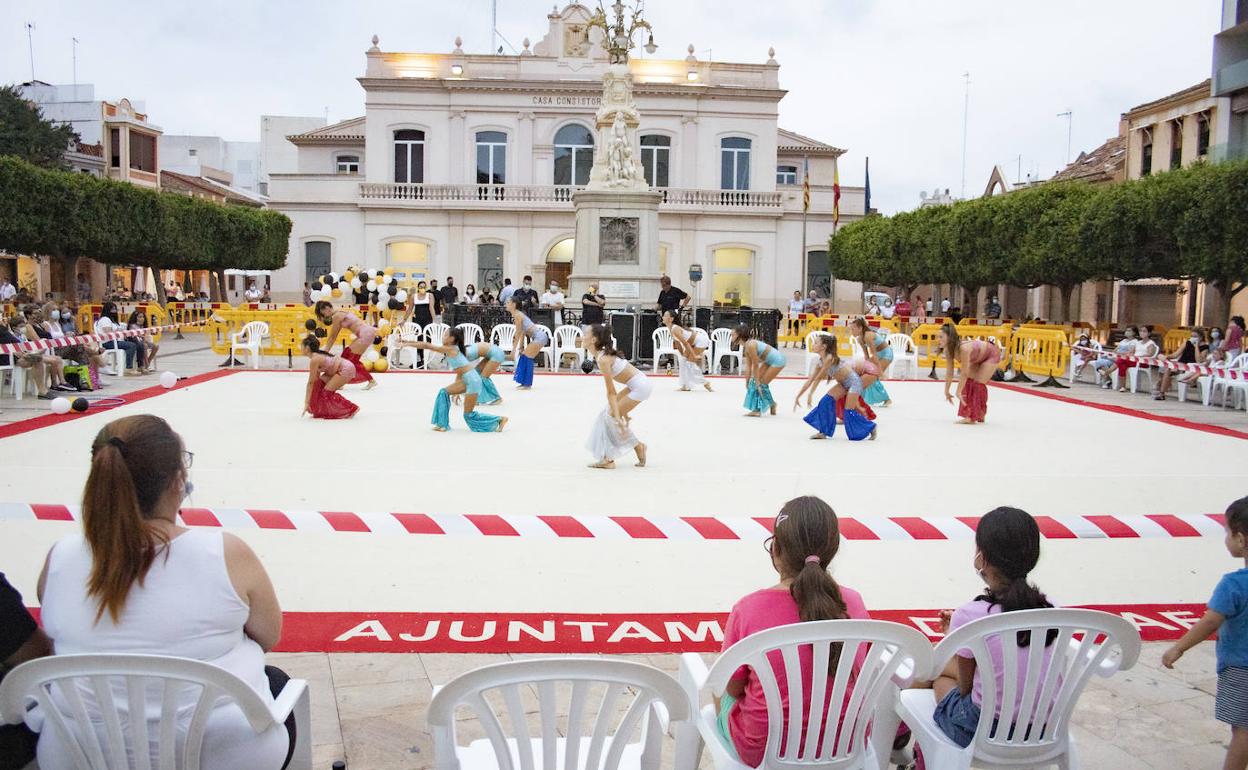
[{"x": 892, "y": 655}]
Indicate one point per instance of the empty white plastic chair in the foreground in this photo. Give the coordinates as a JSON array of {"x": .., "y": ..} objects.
[{"x": 632, "y": 690}]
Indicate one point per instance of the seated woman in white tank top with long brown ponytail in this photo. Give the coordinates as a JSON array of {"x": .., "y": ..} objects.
[{"x": 138, "y": 582}]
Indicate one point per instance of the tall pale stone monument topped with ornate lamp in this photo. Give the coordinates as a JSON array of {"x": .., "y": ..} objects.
[{"x": 617, "y": 243}]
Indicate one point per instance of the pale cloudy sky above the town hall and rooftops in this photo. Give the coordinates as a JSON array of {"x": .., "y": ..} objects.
[{"x": 880, "y": 78}]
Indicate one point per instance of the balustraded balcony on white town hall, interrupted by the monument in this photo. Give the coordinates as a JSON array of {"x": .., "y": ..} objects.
[{"x": 557, "y": 198}]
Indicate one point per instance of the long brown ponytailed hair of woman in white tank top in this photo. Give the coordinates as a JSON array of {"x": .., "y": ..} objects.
[{"x": 134, "y": 461}]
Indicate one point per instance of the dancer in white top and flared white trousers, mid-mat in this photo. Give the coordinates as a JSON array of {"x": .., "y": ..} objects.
[{"x": 612, "y": 435}]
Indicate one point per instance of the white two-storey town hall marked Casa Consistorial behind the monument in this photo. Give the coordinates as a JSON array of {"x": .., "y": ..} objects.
[{"x": 465, "y": 165}]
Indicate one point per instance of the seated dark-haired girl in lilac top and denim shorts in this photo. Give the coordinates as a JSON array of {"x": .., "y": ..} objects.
[{"x": 1007, "y": 551}]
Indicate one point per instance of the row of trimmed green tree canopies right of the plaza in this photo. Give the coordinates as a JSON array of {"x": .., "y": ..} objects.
[{"x": 1185, "y": 224}]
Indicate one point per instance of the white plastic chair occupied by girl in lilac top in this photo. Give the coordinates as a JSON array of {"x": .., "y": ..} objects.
[{"x": 1034, "y": 726}]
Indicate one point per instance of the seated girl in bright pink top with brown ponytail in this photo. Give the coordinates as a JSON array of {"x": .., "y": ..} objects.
[{"x": 806, "y": 540}]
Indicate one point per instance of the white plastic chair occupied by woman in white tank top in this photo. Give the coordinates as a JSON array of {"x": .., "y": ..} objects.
[{"x": 102, "y": 692}]
